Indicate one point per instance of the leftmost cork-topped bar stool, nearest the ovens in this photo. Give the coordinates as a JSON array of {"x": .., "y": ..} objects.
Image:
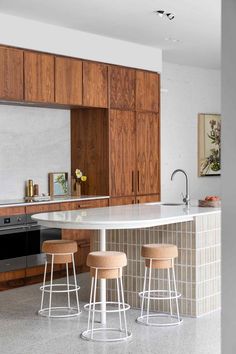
[{"x": 59, "y": 252}]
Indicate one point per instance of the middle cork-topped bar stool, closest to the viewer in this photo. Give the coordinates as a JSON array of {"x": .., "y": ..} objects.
[{"x": 106, "y": 265}]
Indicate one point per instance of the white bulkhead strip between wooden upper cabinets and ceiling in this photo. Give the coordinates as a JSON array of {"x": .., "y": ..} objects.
[{"x": 30, "y": 34}]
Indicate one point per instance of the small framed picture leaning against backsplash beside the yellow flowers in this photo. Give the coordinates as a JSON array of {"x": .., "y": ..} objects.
[{"x": 58, "y": 183}]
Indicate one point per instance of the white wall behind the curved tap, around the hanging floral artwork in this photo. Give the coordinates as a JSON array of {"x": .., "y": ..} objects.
[{"x": 187, "y": 91}]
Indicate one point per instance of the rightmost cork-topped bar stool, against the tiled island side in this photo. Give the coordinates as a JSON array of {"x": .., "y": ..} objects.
[{"x": 159, "y": 256}]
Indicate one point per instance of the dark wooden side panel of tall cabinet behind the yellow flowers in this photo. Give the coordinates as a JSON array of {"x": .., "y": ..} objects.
[{"x": 89, "y": 148}]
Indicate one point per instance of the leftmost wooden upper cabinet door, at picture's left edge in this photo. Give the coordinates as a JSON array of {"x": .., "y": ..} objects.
[{"x": 11, "y": 74}]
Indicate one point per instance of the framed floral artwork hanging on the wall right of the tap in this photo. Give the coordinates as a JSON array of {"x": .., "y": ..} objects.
[{"x": 209, "y": 144}]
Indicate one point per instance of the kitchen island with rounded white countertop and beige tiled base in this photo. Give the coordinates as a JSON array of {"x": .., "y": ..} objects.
[{"x": 195, "y": 231}]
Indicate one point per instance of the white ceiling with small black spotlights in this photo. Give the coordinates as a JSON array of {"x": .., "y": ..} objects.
[{"x": 197, "y": 23}]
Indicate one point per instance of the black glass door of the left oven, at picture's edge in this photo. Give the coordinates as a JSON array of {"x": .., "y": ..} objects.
[{"x": 13, "y": 248}]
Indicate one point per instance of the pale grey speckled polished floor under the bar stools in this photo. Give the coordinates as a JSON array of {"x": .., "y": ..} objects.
[{"x": 22, "y": 331}]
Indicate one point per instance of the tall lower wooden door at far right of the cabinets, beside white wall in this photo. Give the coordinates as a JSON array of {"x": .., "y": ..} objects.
[{"x": 147, "y": 137}]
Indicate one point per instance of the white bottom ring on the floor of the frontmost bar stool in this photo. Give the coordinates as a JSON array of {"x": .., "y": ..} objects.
[{"x": 124, "y": 335}]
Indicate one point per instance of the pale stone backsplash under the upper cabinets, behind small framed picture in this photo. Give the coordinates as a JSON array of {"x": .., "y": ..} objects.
[{"x": 33, "y": 142}]
